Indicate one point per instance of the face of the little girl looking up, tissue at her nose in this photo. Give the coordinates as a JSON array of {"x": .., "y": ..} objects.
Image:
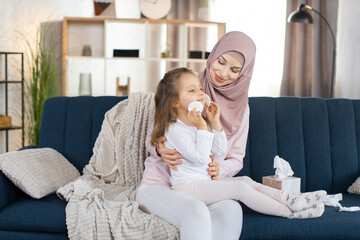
[{"x": 190, "y": 90}]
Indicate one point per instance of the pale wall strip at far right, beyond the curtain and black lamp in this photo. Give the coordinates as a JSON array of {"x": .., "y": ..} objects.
[{"x": 348, "y": 50}]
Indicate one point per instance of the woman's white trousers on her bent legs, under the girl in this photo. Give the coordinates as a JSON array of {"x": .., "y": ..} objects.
[{"x": 195, "y": 220}]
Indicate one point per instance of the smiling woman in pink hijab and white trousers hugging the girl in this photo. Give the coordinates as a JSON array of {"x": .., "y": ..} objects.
[{"x": 226, "y": 80}]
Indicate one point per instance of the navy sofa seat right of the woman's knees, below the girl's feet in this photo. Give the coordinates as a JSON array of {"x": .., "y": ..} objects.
[{"x": 331, "y": 225}]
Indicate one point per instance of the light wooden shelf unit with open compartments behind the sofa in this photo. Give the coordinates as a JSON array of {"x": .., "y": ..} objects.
[{"x": 77, "y": 32}]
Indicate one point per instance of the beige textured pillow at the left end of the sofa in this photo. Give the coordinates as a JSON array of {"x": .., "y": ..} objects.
[{"x": 38, "y": 172}]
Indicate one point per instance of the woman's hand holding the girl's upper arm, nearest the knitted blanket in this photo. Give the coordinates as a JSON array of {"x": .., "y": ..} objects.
[{"x": 170, "y": 156}]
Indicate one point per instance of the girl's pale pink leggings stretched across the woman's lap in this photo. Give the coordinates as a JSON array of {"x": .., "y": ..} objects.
[{"x": 256, "y": 196}]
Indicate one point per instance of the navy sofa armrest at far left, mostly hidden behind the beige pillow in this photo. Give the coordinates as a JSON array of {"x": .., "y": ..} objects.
[{"x": 8, "y": 191}]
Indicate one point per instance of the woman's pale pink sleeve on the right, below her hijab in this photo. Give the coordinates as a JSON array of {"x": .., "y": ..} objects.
[{"x": 233, "y": 162}]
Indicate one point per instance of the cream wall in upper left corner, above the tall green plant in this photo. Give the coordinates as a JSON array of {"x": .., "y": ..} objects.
[{"x": 25, "y": 16}]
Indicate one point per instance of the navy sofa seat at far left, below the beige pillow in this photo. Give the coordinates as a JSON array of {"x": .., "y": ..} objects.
[{"x": 34, "y": 215}]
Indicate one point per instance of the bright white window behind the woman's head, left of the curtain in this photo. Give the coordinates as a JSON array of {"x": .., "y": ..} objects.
[{"x": 264, "y": 21}]
